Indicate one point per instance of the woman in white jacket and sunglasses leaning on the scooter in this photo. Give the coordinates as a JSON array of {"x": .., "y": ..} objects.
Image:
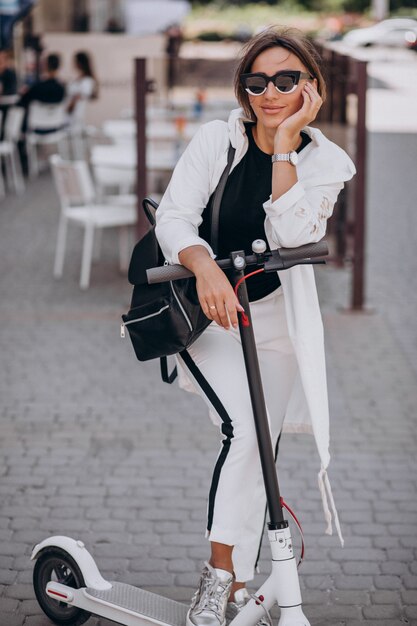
[{"x": 282, "y": 187}]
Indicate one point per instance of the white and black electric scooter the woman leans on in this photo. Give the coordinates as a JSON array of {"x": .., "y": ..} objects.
[{"x": 67, "y": 582}]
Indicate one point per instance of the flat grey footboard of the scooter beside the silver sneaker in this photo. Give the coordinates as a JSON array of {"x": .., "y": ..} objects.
[{"x": 146, "y": 603}]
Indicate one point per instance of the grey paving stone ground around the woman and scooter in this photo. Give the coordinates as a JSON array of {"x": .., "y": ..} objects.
[{"x": 93, "y": 445}]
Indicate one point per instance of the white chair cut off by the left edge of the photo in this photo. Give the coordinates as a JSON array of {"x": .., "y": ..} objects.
[{"x": 8, "y": 147}]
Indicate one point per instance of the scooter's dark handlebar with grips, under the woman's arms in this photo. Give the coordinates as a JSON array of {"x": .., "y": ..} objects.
[{"x": 166, "y": 273}]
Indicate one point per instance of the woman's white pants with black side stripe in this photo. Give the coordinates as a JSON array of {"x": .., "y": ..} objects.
[{"x": 215, "y": 364}]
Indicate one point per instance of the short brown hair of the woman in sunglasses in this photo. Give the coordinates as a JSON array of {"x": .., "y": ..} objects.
[{"x": 292, "y": 40}]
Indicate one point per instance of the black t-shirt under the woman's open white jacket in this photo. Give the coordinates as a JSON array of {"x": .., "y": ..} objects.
[{"x": 242, "y": 215}]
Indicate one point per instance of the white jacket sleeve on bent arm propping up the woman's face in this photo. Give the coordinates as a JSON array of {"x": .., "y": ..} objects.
[{"x": 300, "y": 215}]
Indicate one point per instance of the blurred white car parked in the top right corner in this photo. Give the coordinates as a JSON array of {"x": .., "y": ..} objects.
[{"x": 391, "y": 32}]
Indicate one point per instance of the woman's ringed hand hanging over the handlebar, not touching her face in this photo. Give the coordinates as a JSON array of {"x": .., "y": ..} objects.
[{"x": 217, "y": 297}]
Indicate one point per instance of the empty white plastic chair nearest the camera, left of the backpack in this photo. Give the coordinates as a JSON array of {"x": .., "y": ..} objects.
[{"x": 77, "y": 197}]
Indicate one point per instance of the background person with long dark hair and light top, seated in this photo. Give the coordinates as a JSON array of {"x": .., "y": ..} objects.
[{"x": 83, "y": 88}]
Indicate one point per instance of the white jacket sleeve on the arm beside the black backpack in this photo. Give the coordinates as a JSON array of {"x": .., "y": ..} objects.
[{"x": 180, "y": 212}]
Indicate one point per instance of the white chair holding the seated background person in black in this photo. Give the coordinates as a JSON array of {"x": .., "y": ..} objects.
[{"x": 42, "y": 116}]
